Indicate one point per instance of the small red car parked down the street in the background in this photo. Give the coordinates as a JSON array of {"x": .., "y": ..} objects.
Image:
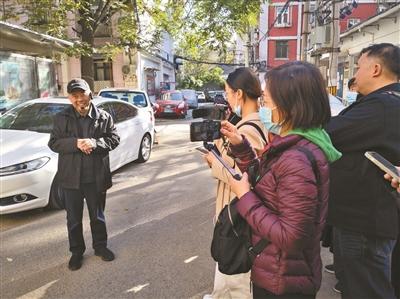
[{"x": 172, "y": 103}]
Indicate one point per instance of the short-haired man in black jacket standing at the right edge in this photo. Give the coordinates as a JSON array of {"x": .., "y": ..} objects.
[{"x": 361, "y": 206}]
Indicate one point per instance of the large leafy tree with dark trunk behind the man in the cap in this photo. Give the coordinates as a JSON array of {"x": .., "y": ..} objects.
[{"x": 139, "y": 24}]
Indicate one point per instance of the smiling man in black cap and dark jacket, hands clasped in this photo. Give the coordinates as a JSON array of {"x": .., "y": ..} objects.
[{"x": 83, "y": 135}]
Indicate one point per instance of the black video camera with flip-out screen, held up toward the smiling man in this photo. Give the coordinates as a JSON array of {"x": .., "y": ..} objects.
[{"x": 209, "y": 129}]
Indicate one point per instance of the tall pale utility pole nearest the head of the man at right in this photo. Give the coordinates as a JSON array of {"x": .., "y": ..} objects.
[{"x": 333, "y": 66}]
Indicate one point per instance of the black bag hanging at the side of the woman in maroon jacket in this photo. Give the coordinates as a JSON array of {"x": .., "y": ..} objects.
[{"x": 231, "y": 245}]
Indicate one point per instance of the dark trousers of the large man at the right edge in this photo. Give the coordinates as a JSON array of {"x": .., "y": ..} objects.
[{"x": 366, "y": 264}]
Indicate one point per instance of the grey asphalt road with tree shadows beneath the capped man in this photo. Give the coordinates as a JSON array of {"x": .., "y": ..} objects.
[{"x": 159, "y": 220}]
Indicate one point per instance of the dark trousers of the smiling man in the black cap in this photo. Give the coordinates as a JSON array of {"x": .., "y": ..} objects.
[{"x": 95, "y": 202}]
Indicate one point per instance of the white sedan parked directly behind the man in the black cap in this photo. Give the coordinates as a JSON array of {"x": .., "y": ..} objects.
[{"x": 28, "y": 166}]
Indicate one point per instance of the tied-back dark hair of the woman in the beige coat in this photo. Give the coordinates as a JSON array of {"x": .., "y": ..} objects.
[{"x": 245, "y": 79}]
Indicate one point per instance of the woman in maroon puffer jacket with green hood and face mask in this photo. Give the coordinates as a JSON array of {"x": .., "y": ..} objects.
[{"x": 288, "y": 203}]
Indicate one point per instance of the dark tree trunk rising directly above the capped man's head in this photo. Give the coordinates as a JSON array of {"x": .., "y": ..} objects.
[{"x": 87, "y": 70}]
